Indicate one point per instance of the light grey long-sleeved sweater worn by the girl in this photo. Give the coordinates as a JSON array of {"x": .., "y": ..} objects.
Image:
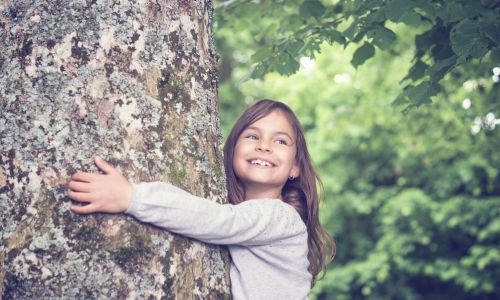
[{"x": 266, "y": 237}]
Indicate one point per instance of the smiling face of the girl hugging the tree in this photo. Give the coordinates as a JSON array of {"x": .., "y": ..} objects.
[{"x": 264, "y": 155}]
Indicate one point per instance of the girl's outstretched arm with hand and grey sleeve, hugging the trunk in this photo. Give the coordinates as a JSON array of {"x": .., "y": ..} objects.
[{"x": 253, "y": 222}]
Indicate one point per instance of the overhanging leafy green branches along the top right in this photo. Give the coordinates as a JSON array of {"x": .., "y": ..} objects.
[{"x": 448, "y": 35}]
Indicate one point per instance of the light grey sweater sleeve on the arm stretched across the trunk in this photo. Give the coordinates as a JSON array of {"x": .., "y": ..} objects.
[{"x": 253, "y": 222}]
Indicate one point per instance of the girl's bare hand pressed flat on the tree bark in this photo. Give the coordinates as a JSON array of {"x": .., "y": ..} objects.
[{"x": 109, "y": 192}]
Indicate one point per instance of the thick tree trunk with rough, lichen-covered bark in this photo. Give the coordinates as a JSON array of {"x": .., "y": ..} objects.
[{"x": 134, "y": 82}]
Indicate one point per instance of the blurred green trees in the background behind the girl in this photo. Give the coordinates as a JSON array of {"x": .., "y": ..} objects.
[{"x": 412, "y": 193}]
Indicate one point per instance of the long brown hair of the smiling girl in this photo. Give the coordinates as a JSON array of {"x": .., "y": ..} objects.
[{"x": 300, "y": 192}]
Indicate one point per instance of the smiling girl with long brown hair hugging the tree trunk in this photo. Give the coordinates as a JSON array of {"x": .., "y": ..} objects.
[{"x": 271, "y": 225}]
